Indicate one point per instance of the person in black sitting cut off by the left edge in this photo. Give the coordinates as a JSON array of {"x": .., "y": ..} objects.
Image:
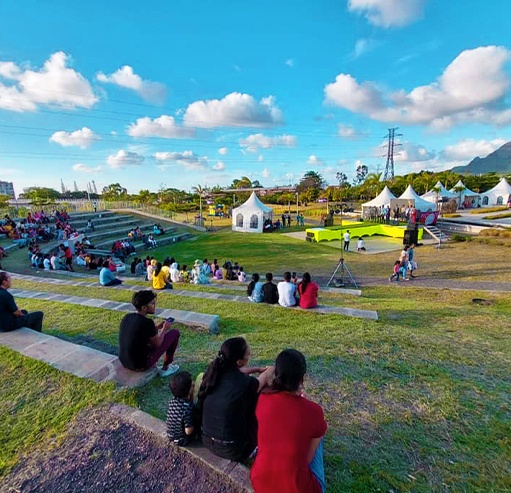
[{"x": 11, "y": 317}]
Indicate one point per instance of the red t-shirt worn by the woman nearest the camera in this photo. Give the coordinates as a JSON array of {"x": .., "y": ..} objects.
[{"x": 286, "y": 425}]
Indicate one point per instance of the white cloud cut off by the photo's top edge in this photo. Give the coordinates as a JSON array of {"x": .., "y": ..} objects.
[{"x": 389, "y": 13}]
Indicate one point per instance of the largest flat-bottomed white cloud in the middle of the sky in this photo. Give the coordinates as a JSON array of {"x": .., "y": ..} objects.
[{"x": 233, "y": 110}]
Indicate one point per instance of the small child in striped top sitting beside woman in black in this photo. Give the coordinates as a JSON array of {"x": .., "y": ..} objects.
[{"x": 180, "y": 422}]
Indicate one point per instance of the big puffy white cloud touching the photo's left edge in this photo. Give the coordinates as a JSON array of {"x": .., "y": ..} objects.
[{"x": 54, "y": 83}]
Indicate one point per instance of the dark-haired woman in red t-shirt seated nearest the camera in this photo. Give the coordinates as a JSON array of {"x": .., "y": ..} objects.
[{"x": 290, "y": 434}]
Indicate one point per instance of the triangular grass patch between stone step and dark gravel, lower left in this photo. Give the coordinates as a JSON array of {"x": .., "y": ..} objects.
[{"x": 37, "y": 402}]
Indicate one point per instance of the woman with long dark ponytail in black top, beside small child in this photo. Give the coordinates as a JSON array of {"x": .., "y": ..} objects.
[{"x": 227, "y": 399}]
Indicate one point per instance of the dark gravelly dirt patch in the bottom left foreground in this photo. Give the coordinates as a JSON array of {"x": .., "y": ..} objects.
[{"x": 104, "y": 454}]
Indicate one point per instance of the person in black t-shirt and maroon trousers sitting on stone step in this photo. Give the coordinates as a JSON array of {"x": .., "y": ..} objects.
[{"x": 142, "y": 342}]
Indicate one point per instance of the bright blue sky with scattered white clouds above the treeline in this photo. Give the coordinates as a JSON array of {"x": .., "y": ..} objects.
[{"x": 182, "y": 93}]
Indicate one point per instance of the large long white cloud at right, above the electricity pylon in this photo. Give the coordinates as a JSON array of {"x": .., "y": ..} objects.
[{"x": 472, "y": 88}]
